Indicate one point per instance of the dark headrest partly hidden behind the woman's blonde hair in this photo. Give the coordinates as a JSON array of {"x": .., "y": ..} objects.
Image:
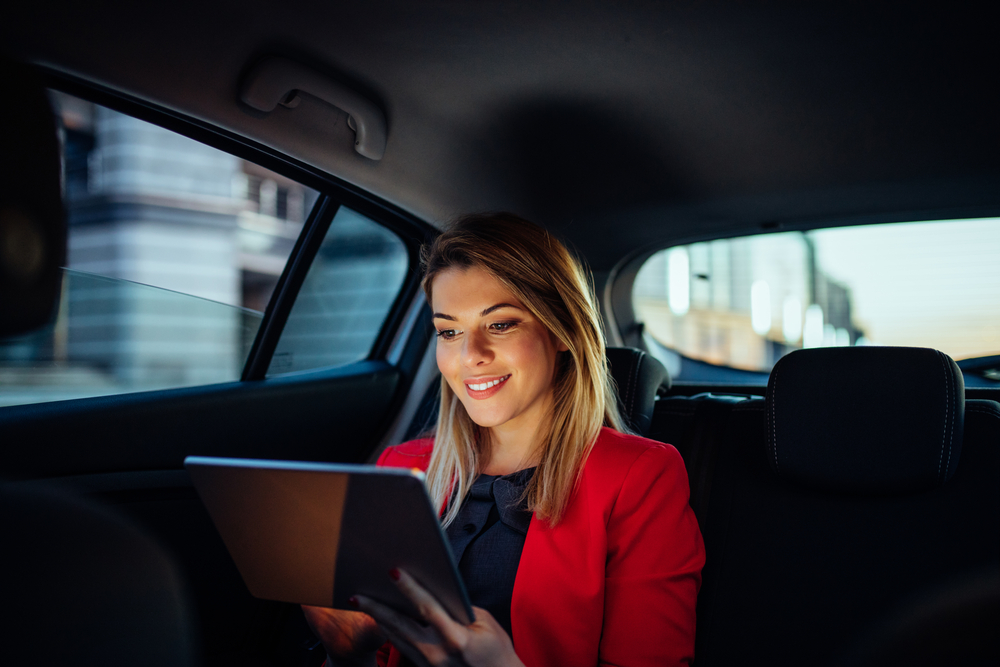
[{"x": 637, "y": 377}]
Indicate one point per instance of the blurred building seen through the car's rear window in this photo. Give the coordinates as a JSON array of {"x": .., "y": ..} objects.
[{"x": 743, "y": 302}]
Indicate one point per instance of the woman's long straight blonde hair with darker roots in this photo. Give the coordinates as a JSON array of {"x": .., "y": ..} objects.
[{"x": 549, "y": 281}]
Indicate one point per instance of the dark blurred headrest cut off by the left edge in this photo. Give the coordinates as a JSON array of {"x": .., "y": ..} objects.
[{"x": 32, "y": 220}]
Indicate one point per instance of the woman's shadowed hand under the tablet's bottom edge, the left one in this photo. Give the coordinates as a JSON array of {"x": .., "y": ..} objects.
[{"x": 350, "y": 637}]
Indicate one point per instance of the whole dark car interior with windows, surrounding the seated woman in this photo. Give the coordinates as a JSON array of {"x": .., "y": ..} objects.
[{"x": 846, "y": 482}]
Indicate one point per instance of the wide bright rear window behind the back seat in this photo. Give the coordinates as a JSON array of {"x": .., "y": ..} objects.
[{"x": 744, "y": 302}]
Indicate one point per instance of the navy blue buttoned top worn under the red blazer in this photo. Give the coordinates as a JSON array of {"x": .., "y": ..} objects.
[{"x": 487, "y": 537}]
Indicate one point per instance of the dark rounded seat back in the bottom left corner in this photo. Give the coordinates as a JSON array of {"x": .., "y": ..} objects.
[{"x": 123, "y": 592}]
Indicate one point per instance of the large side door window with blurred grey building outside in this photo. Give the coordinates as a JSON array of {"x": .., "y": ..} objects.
[{"x": 174, "y": 250}]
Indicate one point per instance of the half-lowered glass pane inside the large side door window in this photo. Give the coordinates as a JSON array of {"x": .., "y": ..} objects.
[{"x": 114, "y": 336}]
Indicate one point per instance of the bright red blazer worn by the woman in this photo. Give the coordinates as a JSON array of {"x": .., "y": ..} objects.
[{"x": 615, "y": 582}]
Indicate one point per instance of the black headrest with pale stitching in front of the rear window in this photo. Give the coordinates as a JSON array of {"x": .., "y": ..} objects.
[{"x": 883, "y": 420}]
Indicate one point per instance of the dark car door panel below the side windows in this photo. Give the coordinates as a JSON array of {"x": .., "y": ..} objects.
[{"x": 127, "y": 451}]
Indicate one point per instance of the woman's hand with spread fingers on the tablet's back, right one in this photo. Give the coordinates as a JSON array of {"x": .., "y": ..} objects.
[{"x": 443, "y": 641}]
